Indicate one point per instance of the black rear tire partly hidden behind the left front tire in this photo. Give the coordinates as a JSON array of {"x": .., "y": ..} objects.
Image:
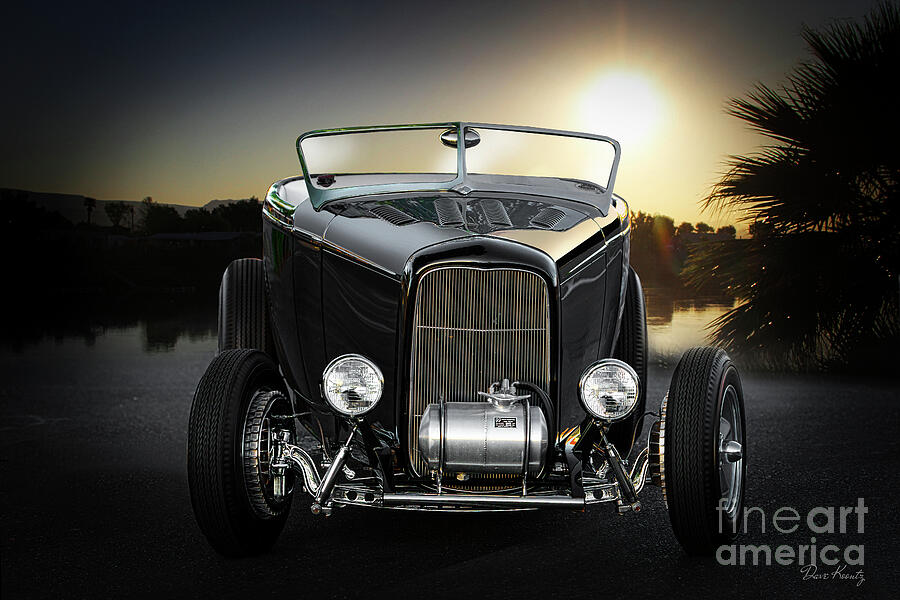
[{"x": 243, "y": 307}]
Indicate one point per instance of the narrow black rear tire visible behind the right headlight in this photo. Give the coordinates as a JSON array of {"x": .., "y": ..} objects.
[{"x": 631, "y": 348}]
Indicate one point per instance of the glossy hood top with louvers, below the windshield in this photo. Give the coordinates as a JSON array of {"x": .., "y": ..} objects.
[{"x": 388, "y": 230}]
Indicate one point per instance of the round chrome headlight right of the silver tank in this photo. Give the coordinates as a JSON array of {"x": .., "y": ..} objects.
[{"x": 609, "y": 389}]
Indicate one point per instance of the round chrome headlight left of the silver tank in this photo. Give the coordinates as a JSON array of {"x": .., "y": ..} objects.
[{"x": 352, "y": 384}]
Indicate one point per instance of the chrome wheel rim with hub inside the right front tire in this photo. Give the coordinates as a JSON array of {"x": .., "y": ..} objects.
[{"x": 730, "y": 452}]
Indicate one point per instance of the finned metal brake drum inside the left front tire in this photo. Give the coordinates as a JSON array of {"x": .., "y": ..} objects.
[{"x": 259, "y": 427}]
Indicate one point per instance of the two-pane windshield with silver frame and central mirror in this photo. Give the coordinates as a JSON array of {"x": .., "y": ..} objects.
[{"x": 343, "y": 163}]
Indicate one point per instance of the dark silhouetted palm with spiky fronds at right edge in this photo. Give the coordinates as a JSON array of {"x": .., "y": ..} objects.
[{"x": 818, "y": 280}]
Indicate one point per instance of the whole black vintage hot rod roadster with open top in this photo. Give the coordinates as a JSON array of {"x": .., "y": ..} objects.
[{"x": 455, "y": 335}]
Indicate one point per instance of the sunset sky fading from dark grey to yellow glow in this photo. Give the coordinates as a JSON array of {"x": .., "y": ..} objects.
[{"x": 191, "y": 103}]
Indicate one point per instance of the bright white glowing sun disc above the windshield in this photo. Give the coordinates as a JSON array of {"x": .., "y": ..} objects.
[{"x": 624, "y": 105}]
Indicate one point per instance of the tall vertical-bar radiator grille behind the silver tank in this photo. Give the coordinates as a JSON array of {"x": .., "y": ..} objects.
[{"x": 471, "y": 327}]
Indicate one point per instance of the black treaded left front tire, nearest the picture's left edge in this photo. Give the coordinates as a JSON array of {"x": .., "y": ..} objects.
[{"x": 232, "y": 397}]
